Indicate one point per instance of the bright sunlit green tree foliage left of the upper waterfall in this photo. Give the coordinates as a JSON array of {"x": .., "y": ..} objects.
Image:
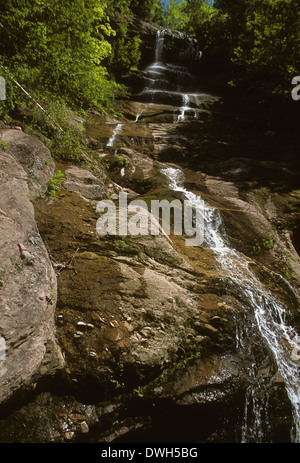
[{"x": 57, "y": 49}]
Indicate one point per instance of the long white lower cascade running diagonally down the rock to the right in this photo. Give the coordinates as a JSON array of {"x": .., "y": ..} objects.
[{"x": 270, "y": 318}]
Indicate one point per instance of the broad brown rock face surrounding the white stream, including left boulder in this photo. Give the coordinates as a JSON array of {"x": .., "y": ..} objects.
[{"x": 157, "y": 343}]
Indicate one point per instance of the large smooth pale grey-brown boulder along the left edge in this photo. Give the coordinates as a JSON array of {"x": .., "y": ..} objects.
[{"x": 28, "y": 282}]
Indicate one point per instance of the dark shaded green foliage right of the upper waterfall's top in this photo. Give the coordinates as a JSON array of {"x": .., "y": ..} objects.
[{"x": 256, "y": 42}]
